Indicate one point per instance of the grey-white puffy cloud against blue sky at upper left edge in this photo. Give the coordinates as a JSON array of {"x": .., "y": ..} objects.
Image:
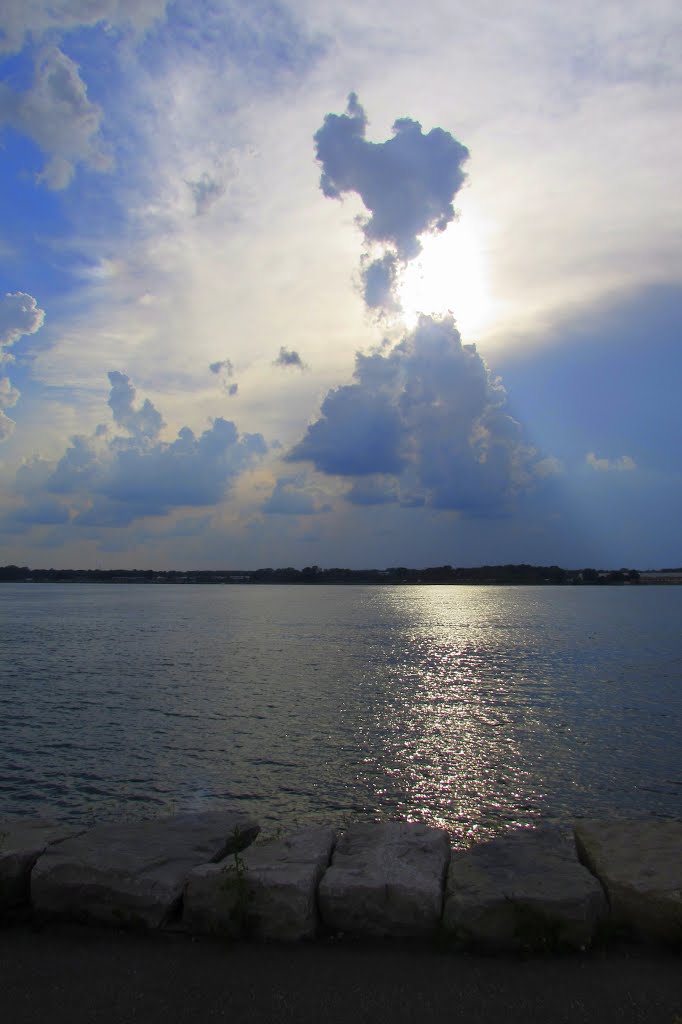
[{"x": 57, "y": 114}]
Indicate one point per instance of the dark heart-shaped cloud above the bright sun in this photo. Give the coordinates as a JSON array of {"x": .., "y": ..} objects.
[{"x": 407, "y": 184}]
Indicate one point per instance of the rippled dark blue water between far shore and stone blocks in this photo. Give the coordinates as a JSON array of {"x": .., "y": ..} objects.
[{"x": 477, "y": 709}]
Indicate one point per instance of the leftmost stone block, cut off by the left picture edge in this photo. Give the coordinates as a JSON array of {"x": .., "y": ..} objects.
[{"x": 22, "y": 842}]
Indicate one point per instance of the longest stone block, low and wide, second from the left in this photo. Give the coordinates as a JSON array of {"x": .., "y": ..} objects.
[{"x": 134, "y": 874}]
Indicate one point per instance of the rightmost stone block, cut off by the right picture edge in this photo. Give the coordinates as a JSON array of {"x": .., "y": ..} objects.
[{"x": 640, "y": 863}]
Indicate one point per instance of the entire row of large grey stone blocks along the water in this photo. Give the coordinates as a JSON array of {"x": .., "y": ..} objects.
[{"x": 531, "y": 889}]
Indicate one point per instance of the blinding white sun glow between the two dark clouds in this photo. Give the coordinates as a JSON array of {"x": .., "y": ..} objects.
[{"x": 452, "y": 275}]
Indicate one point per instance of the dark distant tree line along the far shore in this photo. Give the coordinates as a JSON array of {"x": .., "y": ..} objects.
[{"x": 536, "y": 575}]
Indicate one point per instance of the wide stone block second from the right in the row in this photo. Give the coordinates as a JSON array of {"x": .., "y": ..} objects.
[{"x": 524, "y": 890}]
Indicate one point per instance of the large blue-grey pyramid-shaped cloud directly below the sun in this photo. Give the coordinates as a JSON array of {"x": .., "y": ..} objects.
[{"x": 424, "y": 423}]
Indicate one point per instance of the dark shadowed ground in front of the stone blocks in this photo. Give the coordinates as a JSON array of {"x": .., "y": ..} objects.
[{"x": 96, "y": 976}]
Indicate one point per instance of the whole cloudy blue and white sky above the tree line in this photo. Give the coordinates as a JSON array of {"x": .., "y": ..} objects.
[{"x": 340, "y": 285}]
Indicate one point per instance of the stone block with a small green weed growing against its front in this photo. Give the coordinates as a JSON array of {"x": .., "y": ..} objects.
[{"x": 270, "y": 892}]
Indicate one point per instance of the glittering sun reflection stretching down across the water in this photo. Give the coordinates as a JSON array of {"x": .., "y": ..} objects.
[{"x": 446, "y": 736}]
